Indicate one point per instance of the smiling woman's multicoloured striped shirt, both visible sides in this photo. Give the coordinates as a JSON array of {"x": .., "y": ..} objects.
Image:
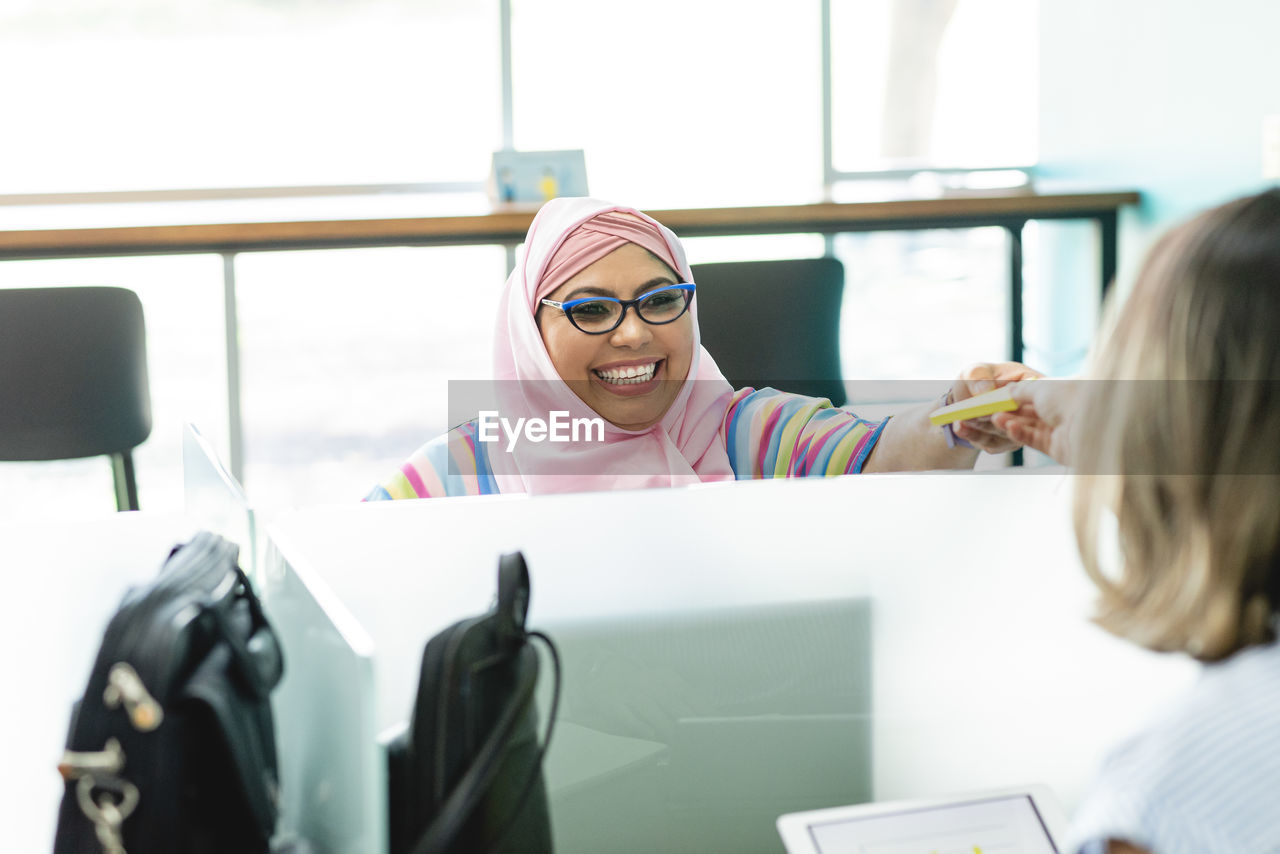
[{"x": 766, "y": 432}]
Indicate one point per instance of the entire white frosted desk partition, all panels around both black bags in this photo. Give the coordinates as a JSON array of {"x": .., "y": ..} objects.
[{"x": 733, "y": 652}]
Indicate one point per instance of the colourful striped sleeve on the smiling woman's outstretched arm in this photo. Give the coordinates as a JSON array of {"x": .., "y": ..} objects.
[{"x": 776, "y": 435}]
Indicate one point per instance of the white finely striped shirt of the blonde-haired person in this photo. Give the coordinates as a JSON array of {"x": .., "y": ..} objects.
[{"x": 1205, "y": 778}]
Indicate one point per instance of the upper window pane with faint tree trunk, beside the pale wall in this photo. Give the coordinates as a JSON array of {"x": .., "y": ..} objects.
[{"x": 934, "y": 84}]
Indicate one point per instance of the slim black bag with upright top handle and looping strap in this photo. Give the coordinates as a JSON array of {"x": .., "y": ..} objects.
[{"x": 468, "y": 774}]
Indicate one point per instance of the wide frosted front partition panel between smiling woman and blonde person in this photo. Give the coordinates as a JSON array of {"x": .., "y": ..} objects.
[{"x": 980, "y": 647}]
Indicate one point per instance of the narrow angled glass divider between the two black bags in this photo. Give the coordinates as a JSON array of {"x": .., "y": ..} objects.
[{"x": 332, "y": 770}]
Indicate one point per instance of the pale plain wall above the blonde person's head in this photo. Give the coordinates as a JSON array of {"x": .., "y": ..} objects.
[{"x": 1164, "y": 97}]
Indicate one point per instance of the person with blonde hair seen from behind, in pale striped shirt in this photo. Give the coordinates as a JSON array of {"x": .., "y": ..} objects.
[{"x": 1176, "y": 440}]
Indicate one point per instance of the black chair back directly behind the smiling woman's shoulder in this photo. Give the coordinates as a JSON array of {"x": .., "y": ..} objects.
[{"x": 775, "y": 323}]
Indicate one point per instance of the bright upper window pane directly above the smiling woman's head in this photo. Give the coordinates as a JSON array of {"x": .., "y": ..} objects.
[{"x": 676, "y": 104}]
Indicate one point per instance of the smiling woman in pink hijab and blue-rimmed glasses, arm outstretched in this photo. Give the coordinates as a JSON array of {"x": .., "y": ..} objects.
[{"x": 600, "y": 323}]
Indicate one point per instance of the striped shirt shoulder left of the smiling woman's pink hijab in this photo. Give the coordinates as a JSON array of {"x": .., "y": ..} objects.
[{"x": 449, "y": 465}]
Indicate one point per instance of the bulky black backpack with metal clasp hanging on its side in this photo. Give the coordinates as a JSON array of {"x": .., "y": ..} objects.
[{"x": 173, "y": 746}]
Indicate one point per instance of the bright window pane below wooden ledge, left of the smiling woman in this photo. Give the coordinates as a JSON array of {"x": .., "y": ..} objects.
[{"x": 346, "y": 357}]
